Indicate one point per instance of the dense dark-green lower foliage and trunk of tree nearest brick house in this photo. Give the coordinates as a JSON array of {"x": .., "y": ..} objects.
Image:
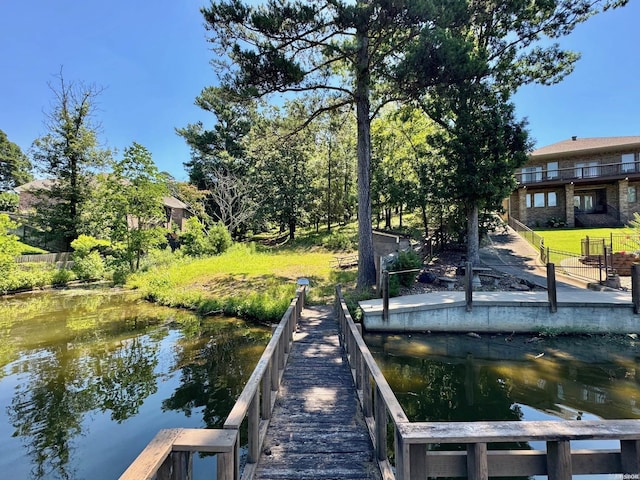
[{"x": 482, "y": 147}]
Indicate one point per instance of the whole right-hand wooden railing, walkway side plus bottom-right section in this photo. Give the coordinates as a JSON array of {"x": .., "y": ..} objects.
[{"x": 415, "y": 460}]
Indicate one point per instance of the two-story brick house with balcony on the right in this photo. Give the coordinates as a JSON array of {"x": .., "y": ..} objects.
[{"x": 579, "y": 182}]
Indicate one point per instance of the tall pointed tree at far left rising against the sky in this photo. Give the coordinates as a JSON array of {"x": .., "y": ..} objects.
[{"x": 69, "y": 154}]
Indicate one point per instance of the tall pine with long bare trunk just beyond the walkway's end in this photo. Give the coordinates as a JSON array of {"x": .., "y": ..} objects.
[{"x": 344, "y": 51}]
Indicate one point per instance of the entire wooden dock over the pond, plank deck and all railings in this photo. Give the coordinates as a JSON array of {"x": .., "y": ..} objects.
[{"x": 304, "y": 420}]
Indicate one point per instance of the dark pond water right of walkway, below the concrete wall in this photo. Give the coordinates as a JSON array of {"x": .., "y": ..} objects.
[{"x": 440, "y": 377}]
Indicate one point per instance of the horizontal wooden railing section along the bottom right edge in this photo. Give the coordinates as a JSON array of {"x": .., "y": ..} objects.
[{"x": 558, "y": 462}]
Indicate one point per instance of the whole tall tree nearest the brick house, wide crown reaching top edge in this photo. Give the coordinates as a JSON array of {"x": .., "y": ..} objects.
[{"x": 464, "y": 69}]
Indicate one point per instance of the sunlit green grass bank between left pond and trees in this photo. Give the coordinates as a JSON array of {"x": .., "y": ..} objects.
[{"x": 250, "y": 281}]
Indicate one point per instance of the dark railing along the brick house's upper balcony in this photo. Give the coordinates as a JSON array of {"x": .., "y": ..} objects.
[{"x": 578, "y": 172}]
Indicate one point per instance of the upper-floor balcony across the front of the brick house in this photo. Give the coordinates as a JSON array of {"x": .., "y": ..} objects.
[{"x": 579, "y": 175}]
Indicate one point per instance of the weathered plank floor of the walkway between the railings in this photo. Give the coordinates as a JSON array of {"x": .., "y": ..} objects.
[{"x": 317, "y": 430}]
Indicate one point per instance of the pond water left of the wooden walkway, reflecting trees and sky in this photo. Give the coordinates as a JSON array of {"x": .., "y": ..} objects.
[{"x": 88, "y": 377}]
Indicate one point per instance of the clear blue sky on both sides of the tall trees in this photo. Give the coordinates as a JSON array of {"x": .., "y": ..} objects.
[{"x": 152, "y": 58}]
